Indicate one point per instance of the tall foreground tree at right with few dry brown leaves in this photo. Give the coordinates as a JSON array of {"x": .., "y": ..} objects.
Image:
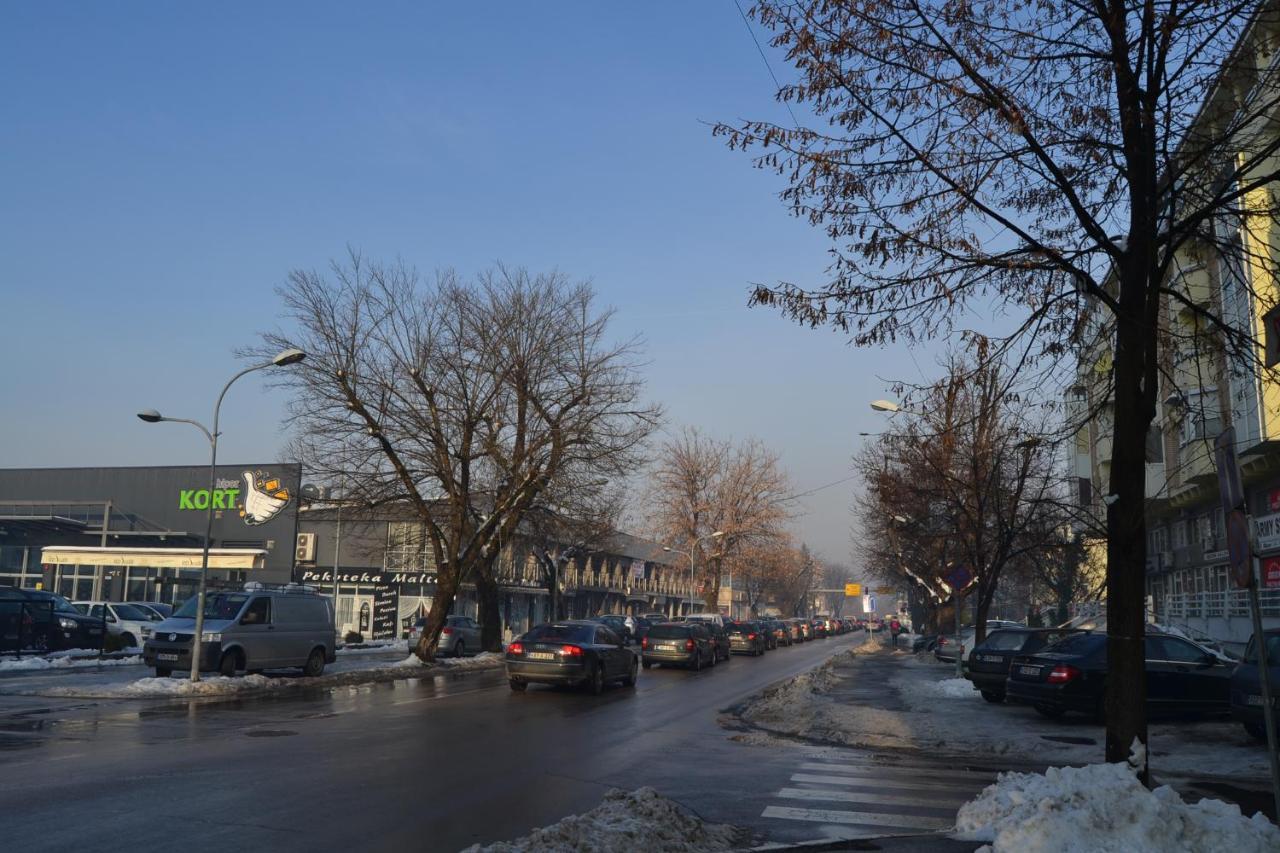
[{"x": 1054, "y": 159}]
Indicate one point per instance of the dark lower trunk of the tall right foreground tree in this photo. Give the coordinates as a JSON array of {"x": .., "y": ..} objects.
[{"x": 1127, "y": 550}]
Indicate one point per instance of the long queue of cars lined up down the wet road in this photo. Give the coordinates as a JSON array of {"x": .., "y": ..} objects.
[{"x": 596, "y": 653}]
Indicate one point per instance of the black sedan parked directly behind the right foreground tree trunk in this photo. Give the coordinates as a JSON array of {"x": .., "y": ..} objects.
[{"x": 1071, "y": 676}]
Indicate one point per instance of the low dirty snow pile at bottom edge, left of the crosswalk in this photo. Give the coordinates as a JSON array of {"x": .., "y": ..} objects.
[{"x": 624, "y": 823}]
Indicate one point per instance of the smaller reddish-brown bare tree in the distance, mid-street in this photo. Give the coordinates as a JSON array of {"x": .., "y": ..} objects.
[{"x": 702, "y": 486}]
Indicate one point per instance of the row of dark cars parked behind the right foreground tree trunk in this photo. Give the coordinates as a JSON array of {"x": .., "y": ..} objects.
[{"x": 1064, "y": 670}]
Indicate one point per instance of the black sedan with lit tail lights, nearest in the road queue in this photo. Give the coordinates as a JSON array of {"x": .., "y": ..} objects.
[{"x": 572, "y": 653}]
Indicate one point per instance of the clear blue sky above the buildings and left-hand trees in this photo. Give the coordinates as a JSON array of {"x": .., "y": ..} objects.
[{"x": 166, "y": 167}]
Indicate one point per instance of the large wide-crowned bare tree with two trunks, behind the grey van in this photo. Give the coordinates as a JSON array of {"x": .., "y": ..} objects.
[{"x": 463, "y": 402}]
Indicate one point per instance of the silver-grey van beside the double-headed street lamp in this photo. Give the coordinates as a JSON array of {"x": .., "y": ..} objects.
[{"x": 252, "y": 631}]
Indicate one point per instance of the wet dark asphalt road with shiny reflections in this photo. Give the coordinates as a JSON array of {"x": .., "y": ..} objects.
[{"x": 423, "y": 764}]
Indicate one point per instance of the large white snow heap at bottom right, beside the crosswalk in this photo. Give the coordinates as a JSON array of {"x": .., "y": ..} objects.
[{"x": 1104, "y": 809}]
